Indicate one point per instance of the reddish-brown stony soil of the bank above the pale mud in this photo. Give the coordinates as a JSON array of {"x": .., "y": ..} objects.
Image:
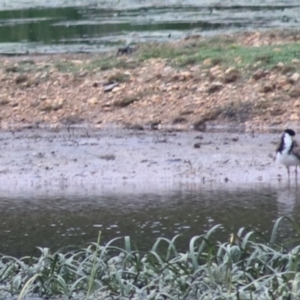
[{"x": 41, "y": 90}]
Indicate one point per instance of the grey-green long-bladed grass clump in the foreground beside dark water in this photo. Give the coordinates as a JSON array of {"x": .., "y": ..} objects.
[{"x": 240, "y": 269}]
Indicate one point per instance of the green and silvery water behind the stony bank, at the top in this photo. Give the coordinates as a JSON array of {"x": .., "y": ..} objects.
[{"x": 93, "y": 26}]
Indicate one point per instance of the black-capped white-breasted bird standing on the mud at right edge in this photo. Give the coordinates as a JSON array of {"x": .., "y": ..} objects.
[{"x": 288, "y": 150}]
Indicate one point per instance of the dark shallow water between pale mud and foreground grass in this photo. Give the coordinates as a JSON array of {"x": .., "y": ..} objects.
[{"x": 64, "y": 219}]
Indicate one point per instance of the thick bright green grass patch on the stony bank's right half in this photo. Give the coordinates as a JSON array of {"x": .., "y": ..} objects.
[{"x": 222, "y": 51}]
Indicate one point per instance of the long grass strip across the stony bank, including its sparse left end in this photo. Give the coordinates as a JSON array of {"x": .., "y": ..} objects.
[{"x": 220, "y": 50}]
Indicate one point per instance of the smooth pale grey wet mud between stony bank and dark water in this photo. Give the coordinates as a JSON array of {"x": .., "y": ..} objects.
[{"x": 115, "y": 159}]
